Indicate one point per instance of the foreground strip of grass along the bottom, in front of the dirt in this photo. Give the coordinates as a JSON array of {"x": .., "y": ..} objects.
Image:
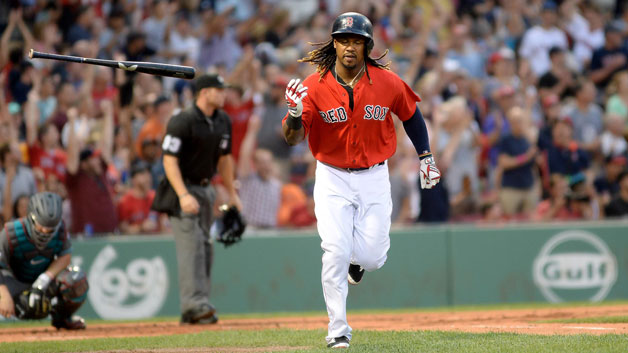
[{"x": 364, "y": 341}]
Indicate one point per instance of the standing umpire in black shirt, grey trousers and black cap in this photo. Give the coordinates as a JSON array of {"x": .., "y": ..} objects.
[{"x": 196, "y": 145}]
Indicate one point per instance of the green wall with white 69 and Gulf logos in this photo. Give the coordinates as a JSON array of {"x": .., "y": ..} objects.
[{"x": 135, "y": 277}]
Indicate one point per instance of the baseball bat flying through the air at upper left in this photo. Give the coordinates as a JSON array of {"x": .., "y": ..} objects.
[{"x": 178, "y": 71}]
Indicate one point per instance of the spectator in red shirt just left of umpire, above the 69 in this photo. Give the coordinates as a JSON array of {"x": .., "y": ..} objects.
[{"x": 134, "y": 213}]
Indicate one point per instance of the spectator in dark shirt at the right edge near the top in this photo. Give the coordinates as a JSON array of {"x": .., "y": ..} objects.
[{"x": 610, "y": 59}]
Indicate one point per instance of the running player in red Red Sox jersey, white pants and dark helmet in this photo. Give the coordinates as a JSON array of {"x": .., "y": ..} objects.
[{"x": 345, "y": 110}]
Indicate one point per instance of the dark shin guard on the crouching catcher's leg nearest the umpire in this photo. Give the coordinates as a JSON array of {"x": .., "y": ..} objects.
[{"x": 71, "y": 292}]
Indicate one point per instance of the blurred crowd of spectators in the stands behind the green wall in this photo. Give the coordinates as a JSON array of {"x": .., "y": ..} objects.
[{"x": 526, "y": 104}]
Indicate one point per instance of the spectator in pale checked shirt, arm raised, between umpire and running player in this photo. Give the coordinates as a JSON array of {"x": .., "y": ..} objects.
[{"x": 260, "y": 189}]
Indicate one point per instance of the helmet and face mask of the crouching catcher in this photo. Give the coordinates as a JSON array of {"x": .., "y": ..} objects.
[{"x": 45, "y": 209}]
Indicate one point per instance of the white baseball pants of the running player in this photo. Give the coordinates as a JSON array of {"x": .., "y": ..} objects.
[{"x": 353, "y": 215}]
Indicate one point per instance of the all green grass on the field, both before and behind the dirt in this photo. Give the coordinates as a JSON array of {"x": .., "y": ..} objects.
[{"x": 287, "y": 340}]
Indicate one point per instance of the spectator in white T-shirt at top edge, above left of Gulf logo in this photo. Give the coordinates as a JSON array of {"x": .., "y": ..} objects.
[{"x": 538, "y": 40}]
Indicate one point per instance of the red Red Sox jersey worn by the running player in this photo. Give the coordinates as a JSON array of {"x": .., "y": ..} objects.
[{"x": 358, "y": 137}]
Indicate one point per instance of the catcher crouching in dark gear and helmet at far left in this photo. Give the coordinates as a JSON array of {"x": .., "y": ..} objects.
[{"x": 36, "y": 279}]
